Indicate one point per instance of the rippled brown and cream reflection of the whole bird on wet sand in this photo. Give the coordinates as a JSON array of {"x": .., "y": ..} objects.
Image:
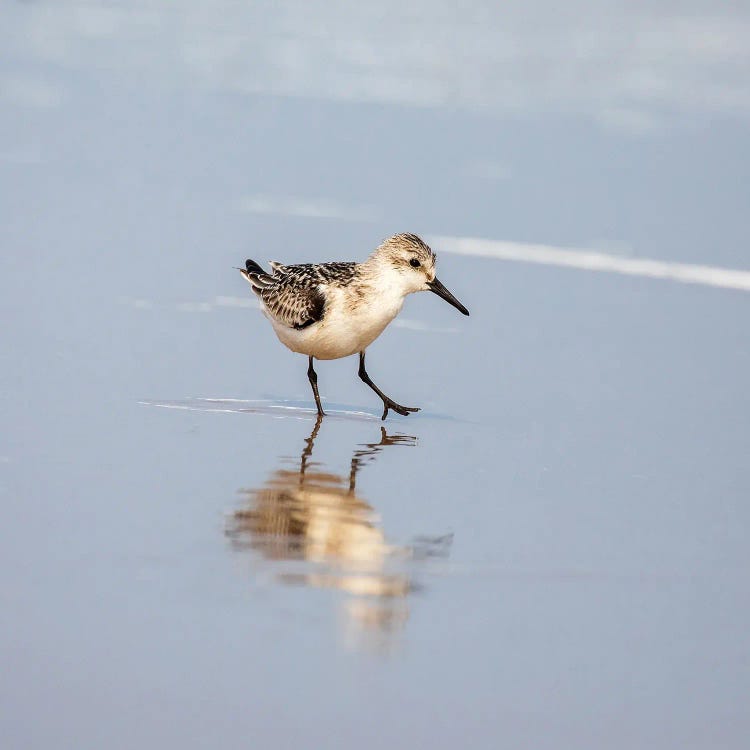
[{"x": 329, "y": 537}]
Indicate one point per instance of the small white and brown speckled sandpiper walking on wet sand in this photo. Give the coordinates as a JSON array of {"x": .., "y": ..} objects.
[{"x": 333, "y": 310}]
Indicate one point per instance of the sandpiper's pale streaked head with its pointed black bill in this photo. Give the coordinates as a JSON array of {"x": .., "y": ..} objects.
[{"x": 410, "y": 264}]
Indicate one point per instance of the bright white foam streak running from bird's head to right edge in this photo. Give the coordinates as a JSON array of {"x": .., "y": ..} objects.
[{"x": 548, "y": 255}]
